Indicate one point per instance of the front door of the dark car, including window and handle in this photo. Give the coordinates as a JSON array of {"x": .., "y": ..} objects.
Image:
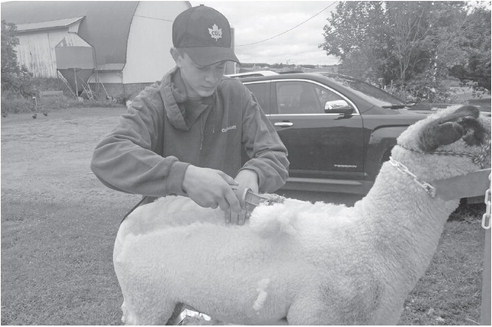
[{"x": 321, "y": 144}]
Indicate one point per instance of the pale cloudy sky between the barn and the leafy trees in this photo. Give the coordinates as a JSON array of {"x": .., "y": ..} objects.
[{"x": 260, "y": 21}]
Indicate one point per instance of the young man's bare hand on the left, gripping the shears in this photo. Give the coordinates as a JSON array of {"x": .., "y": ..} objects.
[{"x": 211, "y": 188}]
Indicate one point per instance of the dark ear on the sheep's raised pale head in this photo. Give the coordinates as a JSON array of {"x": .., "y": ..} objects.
[{"x": 462, "y": 123}]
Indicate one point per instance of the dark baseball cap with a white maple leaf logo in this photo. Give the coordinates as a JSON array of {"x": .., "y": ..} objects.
[{"x": 204, "y": 34}]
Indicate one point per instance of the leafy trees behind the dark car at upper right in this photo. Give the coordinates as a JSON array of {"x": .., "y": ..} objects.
[{"x": 412, "y": 45}]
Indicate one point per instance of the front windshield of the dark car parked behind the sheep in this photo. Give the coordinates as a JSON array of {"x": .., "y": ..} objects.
[{"x": 366, "y": 90}]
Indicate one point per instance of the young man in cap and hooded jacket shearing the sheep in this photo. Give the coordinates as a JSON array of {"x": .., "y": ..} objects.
[{"x": 184, "y": 134}]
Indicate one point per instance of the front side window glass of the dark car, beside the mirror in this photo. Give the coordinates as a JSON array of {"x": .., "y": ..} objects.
[{"x": 297, "y": 97}]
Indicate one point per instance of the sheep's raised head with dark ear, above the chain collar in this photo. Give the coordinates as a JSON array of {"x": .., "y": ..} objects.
[{"x": 456, "y": 139}]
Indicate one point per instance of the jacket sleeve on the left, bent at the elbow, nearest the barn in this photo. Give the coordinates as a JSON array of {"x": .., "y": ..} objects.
[{"x": 127, "y": 159}]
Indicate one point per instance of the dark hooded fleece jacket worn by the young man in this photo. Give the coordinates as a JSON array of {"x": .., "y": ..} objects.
[{"x": 163, "y": 132}]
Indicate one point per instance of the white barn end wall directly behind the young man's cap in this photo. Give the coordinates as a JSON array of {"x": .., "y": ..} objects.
[{"x": 149, "y": 41}]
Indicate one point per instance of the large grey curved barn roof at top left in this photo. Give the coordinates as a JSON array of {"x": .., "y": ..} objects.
[{"x": 105, "y": 25}]
